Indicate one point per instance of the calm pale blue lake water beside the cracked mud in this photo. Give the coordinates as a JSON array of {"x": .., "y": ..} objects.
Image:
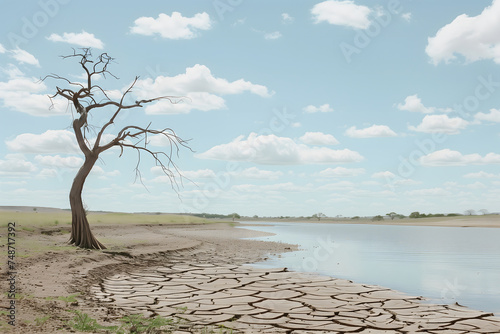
[{"x": 443, "y": 264}]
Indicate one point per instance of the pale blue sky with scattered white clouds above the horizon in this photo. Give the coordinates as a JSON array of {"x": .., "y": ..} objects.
[{"x": 348, "y": 108}]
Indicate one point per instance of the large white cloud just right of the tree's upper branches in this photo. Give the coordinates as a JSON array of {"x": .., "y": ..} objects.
[{"x": 199, "y": 85}]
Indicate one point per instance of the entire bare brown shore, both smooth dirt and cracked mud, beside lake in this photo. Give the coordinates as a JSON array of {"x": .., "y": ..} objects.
[{"x": 52, "y": 272}]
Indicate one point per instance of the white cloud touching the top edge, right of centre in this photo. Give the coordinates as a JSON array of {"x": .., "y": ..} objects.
[{"x": 343, "y": 13}]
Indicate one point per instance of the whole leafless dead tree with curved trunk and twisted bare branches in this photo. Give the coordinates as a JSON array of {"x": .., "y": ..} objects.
[{"x": 86, "y": 98}]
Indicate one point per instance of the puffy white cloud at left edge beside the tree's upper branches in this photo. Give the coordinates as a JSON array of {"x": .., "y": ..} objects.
[{"x": 25, "y": 95}]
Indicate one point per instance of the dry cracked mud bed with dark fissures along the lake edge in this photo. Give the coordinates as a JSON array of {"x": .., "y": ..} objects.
[{"x": 251, "y": 300}]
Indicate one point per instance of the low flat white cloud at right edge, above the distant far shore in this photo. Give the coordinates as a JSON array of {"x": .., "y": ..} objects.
[{"x": 447, "y": 157}]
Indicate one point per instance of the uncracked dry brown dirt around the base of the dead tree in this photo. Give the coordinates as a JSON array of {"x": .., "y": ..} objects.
[{"x": 50, "y": 273}]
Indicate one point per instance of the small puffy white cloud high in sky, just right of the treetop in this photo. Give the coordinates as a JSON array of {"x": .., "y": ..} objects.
[{"x": 172, "y": 27}]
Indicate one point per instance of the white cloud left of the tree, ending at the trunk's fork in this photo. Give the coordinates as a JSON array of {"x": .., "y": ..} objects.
[{"x": 51, "y": 141}]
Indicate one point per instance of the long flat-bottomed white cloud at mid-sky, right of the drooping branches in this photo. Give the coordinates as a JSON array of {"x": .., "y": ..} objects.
[{"x": 274, "y": 150}]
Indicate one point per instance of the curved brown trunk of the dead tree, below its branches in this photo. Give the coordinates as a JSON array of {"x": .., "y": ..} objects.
[{"x": 81, "y": 236}]
